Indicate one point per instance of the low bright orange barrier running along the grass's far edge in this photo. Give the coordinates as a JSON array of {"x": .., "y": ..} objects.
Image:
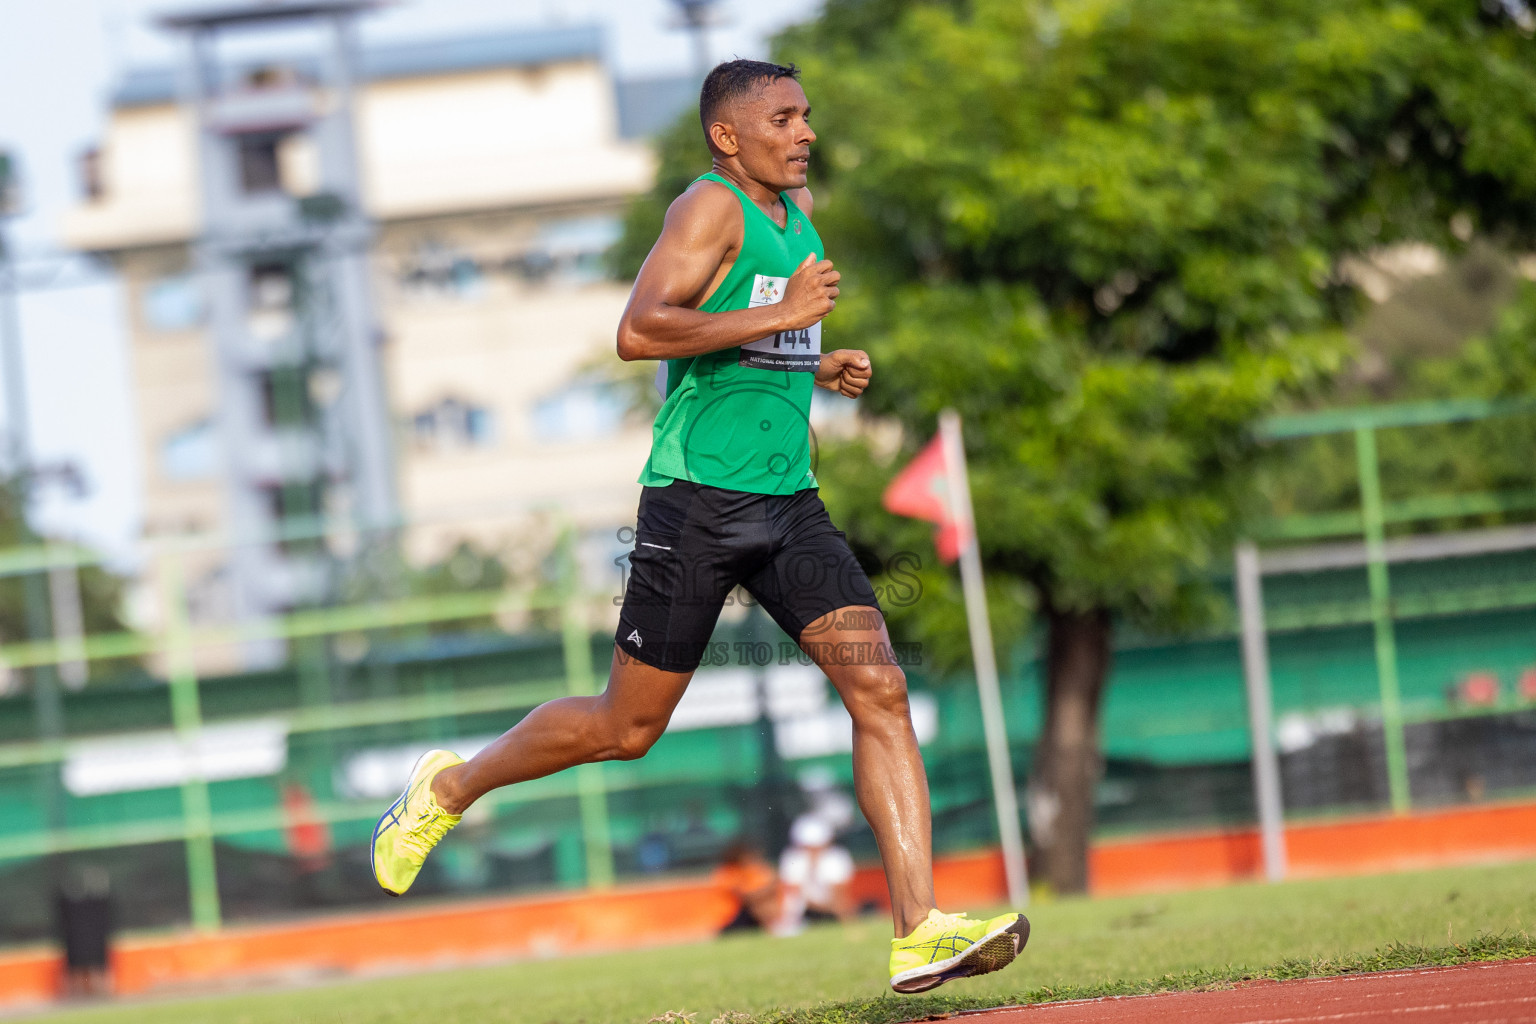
[{"x": 692, "y": 911}]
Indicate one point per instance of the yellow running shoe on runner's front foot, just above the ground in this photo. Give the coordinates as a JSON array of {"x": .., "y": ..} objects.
[{"x": 950, "y": 946}]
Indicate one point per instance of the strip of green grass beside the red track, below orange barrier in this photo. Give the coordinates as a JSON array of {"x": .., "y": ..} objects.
[{"x": 835, "y": 976}]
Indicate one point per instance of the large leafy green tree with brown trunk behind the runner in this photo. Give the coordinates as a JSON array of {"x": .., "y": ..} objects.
[{"x": 1111, "y": 236}]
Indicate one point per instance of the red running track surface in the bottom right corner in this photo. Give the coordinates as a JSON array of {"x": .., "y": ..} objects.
[{"x": 1475, "y": 994}]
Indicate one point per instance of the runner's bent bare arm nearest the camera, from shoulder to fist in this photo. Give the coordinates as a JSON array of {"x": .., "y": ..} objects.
[{"x": 700, "y": 240}]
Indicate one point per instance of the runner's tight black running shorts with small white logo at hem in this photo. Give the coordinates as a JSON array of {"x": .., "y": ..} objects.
[{"x": 694, "y": 544}]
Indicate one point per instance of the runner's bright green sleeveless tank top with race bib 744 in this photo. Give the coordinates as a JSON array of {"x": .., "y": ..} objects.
[{"x": 740, "y": 418}]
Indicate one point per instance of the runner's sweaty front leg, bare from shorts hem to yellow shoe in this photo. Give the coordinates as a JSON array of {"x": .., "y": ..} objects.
[{"x": 853, "y": 647}]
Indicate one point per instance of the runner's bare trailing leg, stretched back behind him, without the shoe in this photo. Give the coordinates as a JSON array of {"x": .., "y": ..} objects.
[{"x": 621, "y": 724}]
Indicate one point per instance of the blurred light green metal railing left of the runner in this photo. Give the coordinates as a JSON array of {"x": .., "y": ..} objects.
[{"x": 179, "y": 641}]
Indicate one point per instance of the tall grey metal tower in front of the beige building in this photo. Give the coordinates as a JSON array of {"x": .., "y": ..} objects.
[{"x": 283, "y": 256}]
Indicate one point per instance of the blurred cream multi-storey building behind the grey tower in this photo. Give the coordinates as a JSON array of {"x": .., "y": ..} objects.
[{"x": 495, "y": 171}]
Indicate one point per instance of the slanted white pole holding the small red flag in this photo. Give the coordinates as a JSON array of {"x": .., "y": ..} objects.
[{"x": 998, "y": 758}]
